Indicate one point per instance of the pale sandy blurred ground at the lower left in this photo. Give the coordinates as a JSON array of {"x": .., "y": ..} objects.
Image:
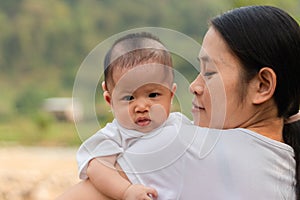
[{"x": 36, "y": 173}]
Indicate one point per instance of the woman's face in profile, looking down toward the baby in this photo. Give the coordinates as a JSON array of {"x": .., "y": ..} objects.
[{"x": 217, "y": 90}]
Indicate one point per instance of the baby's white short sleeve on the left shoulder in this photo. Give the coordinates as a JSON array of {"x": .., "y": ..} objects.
[{"x": 98, "y": 145}]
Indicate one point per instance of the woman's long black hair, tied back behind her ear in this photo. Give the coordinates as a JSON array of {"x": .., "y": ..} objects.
[{"x": 265, "y": 36}]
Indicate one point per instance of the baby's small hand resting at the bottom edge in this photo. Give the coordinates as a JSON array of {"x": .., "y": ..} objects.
[{"x": 139, "y": 192}]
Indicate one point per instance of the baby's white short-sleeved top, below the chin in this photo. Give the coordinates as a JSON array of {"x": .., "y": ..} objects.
[{"x": 114, "y": 140}]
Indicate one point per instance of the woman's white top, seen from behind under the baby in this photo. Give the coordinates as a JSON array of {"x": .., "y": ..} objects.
[{"x": 210, "y": 164}]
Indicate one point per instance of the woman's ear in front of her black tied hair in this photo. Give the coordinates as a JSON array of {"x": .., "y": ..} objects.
[{"x": 264, "y": 84}]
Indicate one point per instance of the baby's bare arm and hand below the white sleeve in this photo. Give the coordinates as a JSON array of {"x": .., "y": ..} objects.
[{"x": 105, "y": 177}]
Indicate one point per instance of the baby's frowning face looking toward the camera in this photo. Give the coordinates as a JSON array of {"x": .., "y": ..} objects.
[{"x": 141, "y": 98}]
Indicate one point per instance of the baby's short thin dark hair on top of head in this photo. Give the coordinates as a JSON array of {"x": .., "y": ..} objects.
[{"x": 136, "y": 49}]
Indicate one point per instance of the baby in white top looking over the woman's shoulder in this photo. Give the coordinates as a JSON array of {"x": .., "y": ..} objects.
[{"x": 138, "y": 85}]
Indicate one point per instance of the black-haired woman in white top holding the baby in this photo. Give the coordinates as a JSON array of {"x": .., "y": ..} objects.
[{"x": 249, "y": 88}]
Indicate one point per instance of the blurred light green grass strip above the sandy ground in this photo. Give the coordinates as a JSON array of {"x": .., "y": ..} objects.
[{"x": 26, "y": 131}]
